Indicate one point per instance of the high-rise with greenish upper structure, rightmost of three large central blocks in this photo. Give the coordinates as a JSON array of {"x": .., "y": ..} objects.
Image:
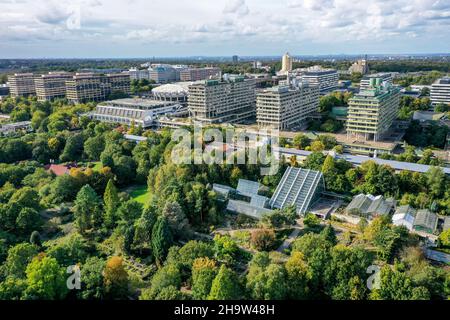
[{"x": 372, "y": 111}]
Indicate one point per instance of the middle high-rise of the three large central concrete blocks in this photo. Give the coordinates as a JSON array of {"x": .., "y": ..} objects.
[{"x": 284, "y": 107}]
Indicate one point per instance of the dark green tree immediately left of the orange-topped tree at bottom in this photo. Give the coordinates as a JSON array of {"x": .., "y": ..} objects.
[{"x": 92, "y": 280}]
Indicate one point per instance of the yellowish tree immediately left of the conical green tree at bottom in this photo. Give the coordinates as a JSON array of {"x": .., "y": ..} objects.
[{"x": 204, "y": 271}]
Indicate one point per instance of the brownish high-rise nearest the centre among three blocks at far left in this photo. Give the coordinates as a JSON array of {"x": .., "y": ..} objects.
[{"x": 84, "y": 87}]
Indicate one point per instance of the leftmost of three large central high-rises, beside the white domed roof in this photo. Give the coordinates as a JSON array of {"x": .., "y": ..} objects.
[{"x": 230, "y": 100}]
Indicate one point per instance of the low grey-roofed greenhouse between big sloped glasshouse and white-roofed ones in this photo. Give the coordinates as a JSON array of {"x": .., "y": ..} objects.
[{"x": 369, "y": 206}]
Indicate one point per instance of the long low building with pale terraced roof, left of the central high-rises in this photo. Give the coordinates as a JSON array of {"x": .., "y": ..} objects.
[{"x": 130, "y": 111}]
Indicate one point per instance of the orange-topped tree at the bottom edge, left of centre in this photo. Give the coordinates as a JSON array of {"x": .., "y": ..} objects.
[{"x": 115, "y": 278}]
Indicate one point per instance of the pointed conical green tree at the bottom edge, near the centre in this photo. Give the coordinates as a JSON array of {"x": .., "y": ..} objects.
[{"x": 224, "y": 286}]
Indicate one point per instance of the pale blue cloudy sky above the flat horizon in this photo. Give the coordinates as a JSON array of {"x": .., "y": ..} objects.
[{"x": 173, "y": 28}]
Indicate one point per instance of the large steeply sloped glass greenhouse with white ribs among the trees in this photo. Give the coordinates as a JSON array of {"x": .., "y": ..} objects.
[{"x": 298, "y": 187}]
